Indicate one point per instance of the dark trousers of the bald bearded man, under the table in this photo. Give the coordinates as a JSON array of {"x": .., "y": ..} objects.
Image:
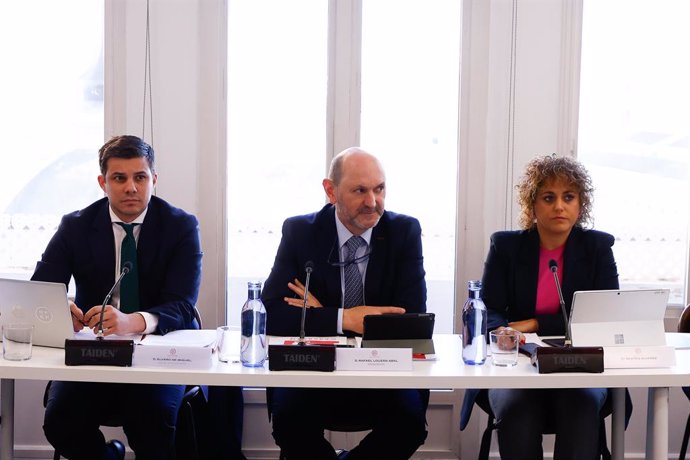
[{"x": 397, "y": 419}]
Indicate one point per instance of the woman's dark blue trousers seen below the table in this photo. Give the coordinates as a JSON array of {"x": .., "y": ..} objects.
[{"x": 523, "y": 415}]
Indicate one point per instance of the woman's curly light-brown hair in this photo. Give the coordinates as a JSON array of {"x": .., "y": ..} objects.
[{"x": 543, "y": 169}]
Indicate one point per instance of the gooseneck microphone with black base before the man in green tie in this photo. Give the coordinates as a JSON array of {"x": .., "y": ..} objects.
[{"x": 111, "y": 352}]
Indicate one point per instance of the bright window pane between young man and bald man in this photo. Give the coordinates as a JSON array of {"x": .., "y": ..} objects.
[{"x": 276, "y": 137}]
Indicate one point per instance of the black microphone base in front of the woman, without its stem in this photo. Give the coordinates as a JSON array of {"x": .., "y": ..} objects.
[{"x": 568, "y": 359}]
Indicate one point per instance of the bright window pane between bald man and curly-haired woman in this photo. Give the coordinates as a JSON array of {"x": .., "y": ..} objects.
[{"x": 410, "y": 84}]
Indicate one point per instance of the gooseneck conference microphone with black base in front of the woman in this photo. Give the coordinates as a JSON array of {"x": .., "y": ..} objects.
[{"x": 567, "y": 358}]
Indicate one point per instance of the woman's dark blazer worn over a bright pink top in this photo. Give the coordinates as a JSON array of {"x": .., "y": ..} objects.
[{"x": 509, "y": 283}]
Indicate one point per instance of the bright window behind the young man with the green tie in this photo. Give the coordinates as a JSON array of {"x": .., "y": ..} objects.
[{"x": 51, "y": 121}]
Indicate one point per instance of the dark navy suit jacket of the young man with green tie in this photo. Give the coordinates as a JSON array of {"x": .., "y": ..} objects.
[{"x": 168, "y": 258}]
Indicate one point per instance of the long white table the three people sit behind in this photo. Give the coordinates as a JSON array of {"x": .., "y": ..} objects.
[{"x": 447, "y": 372}]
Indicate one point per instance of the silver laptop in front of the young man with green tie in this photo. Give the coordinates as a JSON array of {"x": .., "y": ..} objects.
[{"x": 40, "y": 303}]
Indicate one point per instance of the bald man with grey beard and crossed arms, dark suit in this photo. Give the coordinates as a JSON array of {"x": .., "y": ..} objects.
[{"x": 366, "y": 262}]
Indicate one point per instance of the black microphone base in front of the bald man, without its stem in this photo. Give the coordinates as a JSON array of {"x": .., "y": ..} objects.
[{"x": 301, "y": 357}]
